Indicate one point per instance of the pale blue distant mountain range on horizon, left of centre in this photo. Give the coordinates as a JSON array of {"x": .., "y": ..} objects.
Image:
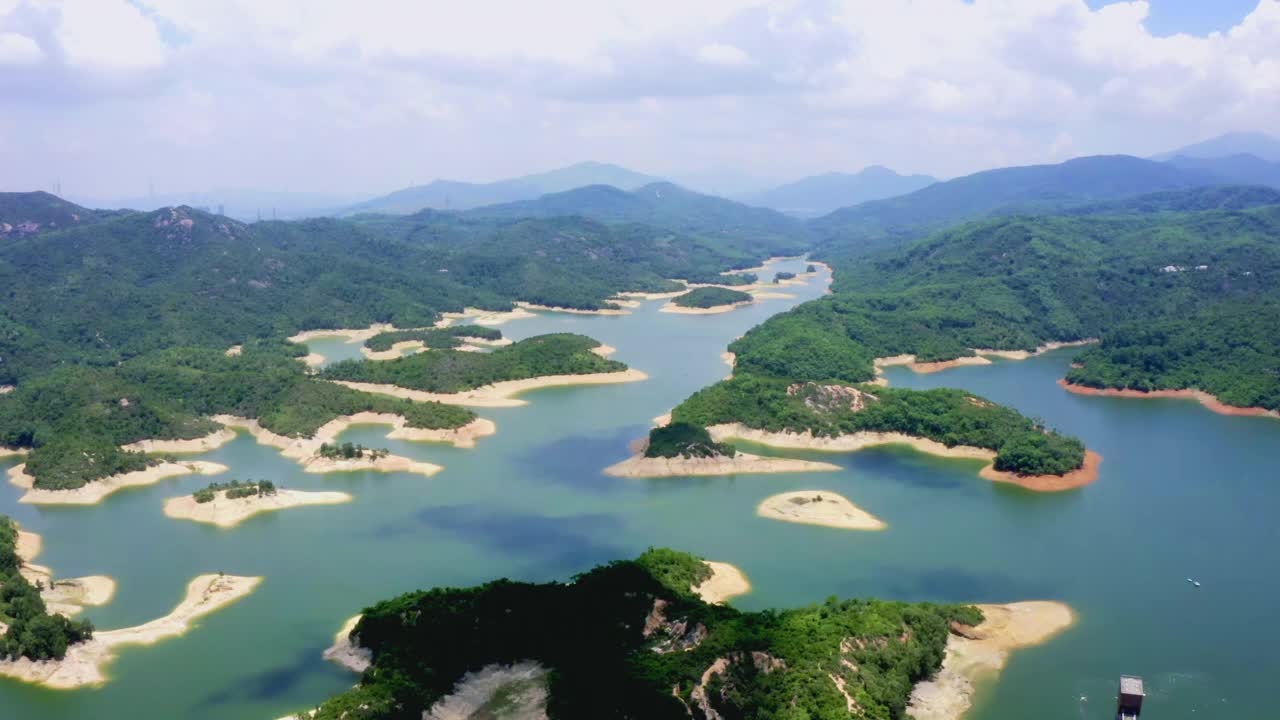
[{"x": 454, "y": 195}]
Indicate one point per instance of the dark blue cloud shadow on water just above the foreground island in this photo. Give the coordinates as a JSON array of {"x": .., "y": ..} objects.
[{"x": 559, "y": 541}]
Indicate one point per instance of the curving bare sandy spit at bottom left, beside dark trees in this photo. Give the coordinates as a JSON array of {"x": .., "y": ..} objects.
[{"x": 85, "y": 663}]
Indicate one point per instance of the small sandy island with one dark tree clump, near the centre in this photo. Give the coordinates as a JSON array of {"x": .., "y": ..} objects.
[{"x": 683, "y": 449}]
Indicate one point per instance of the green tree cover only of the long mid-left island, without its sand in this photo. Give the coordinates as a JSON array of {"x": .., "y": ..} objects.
[{"x": 451, "y": 372}]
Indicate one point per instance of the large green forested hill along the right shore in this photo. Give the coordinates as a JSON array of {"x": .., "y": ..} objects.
[{"x": 1181, "y": 300}]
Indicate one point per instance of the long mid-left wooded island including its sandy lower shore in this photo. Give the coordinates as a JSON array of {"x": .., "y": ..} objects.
[{"x": 487, "y": 380}]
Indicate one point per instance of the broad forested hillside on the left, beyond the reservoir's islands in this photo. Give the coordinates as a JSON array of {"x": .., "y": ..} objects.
[{"x": 139, "y": 282}]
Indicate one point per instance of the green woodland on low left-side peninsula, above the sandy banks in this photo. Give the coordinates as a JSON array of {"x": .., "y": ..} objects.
[{"x": 76, "y": 420}]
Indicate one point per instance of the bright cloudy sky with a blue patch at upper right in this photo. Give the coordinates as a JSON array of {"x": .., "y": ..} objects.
[{"x": 113, "y": 98}]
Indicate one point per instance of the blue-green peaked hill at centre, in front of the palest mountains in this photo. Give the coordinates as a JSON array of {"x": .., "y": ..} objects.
[{"x": 670, "y": 207}]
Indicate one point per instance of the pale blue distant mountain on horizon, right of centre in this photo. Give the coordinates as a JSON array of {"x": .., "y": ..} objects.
[{"x": 819, "y": 195}]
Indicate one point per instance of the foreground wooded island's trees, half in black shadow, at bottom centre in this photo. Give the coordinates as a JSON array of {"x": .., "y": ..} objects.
[{"x": 633, "y": 640}]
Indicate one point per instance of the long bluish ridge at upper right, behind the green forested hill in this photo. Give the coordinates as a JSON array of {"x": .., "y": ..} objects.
[{"x": 1034, "y": 189}]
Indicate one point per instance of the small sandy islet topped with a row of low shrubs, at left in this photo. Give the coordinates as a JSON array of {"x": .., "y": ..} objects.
[{"x": 231, "y": 504}]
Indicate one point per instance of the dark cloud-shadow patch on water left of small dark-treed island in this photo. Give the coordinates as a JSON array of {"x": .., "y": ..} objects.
[{"x": 578, "y": 462}]
